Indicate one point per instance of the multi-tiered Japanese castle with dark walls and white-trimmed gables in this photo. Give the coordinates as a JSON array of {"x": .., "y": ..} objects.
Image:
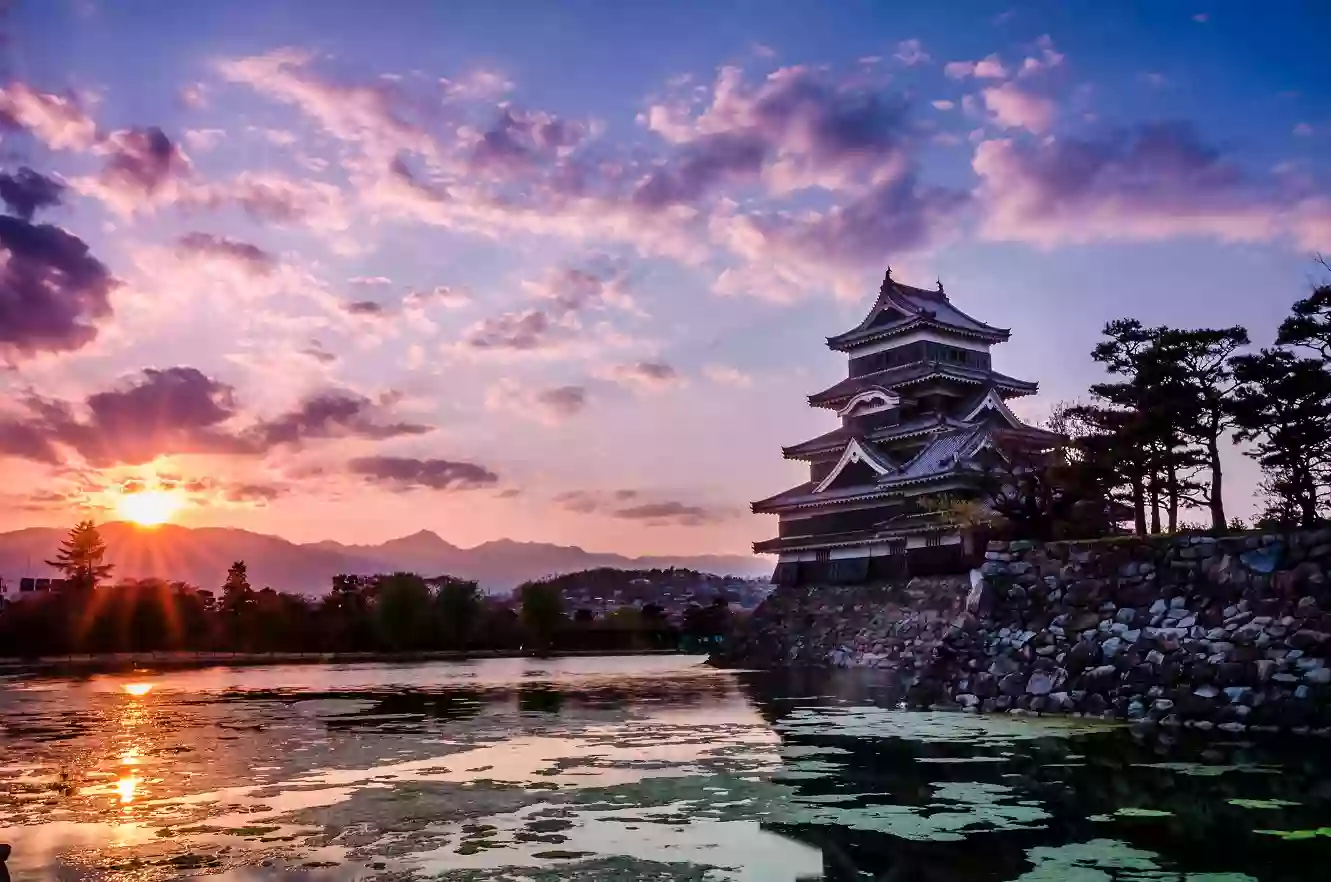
[{"x": 922, "y": 413}]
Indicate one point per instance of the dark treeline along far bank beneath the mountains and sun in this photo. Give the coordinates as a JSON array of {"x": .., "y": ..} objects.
[{"x": 399, "y": 613}]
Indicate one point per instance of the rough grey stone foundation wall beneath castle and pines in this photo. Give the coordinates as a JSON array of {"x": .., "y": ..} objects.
[{"x": 1232, "y": 633}]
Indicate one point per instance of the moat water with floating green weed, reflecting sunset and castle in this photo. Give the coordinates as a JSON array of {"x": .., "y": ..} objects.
[{"x": 632, "y": 768}]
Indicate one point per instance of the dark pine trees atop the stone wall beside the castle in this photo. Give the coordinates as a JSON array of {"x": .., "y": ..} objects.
[{"x": 1145, "y": 449}]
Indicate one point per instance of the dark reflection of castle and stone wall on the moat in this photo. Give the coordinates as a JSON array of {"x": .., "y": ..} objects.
[{"x": 890, "y": 794}]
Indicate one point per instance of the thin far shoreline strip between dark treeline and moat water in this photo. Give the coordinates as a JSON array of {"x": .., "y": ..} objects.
[{"x": 107, "y": 663}]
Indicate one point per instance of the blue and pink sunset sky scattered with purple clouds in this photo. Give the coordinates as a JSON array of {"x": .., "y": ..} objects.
[{"x": 564, "y": 272}]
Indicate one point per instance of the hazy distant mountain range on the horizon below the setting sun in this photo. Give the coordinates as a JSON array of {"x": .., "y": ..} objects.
[{"x": 202, "y": 557}]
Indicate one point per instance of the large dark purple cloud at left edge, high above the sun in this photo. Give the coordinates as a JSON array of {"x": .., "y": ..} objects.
[{"x": 53, "y": 291}]
